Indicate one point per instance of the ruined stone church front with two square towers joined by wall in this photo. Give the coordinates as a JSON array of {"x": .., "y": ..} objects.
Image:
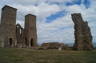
[{"x": 12, "y": 34}]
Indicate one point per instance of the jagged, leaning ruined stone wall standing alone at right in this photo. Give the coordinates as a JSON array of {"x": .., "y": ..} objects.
[{"x": 83, "y": 37}]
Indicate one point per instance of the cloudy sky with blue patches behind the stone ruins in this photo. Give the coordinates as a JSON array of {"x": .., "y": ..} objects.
[{"x": 54, "y": 21}]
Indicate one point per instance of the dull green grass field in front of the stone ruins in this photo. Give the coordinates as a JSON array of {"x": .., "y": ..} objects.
[{"x": 15, "y": 55}]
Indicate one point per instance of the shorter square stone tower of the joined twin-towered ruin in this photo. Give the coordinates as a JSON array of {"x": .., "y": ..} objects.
[{"x": 30, "y": 30}]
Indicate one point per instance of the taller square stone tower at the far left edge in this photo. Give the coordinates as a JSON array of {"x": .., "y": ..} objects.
[{"x": 8, "y": 27}]
